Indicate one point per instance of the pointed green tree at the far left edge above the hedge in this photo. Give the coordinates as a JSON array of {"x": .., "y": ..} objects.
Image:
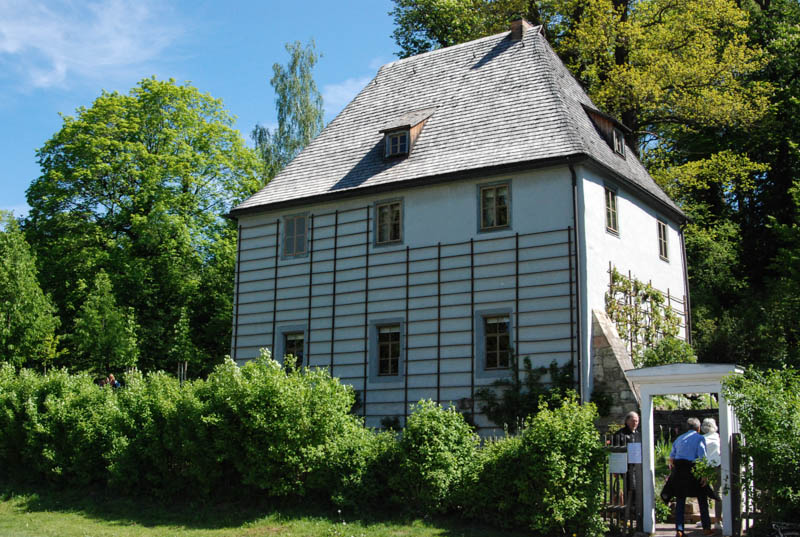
[{"x": 27, "y": 316}]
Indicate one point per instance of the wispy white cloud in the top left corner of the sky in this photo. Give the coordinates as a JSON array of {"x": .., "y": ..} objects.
[{"x": 47, "y": 43}]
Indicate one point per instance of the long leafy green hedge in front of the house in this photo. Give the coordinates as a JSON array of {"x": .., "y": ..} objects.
[{"x": 290, "y": 433}]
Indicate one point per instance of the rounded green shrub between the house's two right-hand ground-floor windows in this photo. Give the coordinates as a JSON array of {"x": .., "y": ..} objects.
[{"x": 434, "y": 449}]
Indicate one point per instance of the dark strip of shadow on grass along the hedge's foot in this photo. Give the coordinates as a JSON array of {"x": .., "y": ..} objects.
[{"x": 99, "y": 505}]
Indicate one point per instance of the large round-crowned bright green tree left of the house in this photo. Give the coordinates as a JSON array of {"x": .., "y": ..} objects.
[{"x": 136, "y": 185}]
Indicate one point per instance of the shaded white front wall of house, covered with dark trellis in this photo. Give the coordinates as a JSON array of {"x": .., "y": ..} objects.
[{"x": 448, "y": 213}]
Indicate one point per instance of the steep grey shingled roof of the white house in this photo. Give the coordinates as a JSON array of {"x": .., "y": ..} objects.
[{"x": 495, "y": 103}]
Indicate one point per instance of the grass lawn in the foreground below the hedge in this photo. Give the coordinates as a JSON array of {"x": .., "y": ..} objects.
[{"x": 40, "y": 512}]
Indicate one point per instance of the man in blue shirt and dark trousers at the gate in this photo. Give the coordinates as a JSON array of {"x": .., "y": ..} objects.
[{"x": 686, "y": 449}]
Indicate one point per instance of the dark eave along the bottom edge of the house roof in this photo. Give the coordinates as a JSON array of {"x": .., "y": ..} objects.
[{"x": 574, "y": 158}]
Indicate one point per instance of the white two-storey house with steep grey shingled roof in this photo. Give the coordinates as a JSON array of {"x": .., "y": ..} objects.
[{"x": 461, "y": 212}]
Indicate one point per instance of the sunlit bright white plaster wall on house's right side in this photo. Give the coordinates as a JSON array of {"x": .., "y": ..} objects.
[{"x": 634, "y": 248}]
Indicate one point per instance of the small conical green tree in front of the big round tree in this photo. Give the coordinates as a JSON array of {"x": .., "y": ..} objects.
[{"x": 105, "y": 333}]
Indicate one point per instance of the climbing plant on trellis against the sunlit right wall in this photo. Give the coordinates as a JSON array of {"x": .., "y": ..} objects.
[{"x": 642, "y": 314}]
